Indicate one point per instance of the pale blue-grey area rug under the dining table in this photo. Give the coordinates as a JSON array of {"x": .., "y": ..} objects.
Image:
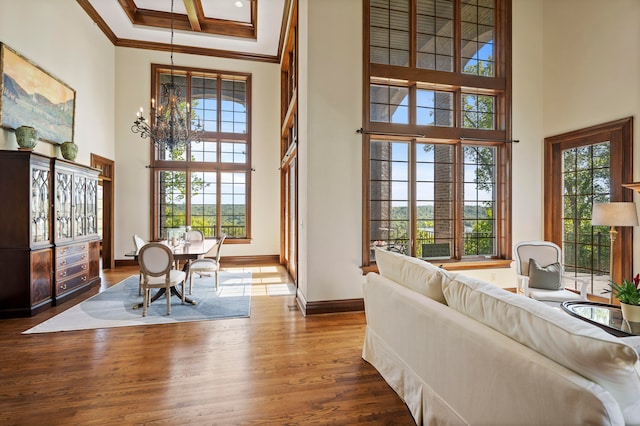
[{"x": 114, "y": 306}]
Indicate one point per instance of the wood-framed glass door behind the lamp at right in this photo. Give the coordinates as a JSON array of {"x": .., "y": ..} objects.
[{"x": 584, "y": 167}]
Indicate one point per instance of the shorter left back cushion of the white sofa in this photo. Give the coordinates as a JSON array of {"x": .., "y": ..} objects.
[{"x": 415, "y": 274}]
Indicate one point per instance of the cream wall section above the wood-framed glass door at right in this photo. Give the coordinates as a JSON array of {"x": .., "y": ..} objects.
[{"x": 592, "y": 68}]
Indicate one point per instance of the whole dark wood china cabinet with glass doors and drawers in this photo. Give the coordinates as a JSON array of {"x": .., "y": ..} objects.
[{"x": 43, "y": 264}]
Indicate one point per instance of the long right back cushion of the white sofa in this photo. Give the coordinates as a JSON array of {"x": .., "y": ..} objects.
[{"x": 575, "y": 344}]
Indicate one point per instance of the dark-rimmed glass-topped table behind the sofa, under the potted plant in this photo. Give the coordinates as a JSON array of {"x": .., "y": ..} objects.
[{"x": 608, "y": 317}]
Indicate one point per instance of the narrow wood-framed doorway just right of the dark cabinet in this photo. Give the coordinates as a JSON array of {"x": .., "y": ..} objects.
[{"x": 105, "y": 208}]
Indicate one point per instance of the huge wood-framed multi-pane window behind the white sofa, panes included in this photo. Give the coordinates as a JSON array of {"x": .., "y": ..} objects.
[{"x": 437, "y": 129}]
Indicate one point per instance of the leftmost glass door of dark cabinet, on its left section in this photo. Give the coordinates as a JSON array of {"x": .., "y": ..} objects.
[{"x": 40, "y": 189}]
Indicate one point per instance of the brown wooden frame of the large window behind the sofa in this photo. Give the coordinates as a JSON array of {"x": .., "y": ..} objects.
[{"x": 457, "y": 83}]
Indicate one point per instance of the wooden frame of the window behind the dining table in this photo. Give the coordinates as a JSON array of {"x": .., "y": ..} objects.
[{"x": 160, "y": 165}]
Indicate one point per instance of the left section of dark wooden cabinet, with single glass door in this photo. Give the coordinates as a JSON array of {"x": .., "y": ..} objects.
[{"x": 25, "y": 233}]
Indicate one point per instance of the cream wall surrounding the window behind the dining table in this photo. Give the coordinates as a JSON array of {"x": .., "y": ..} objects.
[{"x": 133, "y": 82}]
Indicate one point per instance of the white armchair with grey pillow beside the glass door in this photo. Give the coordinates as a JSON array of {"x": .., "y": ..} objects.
[{"x": 541, "y": 275}]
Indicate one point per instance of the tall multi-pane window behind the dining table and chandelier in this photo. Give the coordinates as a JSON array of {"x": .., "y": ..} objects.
[{"x": 207, "y": 185}]
